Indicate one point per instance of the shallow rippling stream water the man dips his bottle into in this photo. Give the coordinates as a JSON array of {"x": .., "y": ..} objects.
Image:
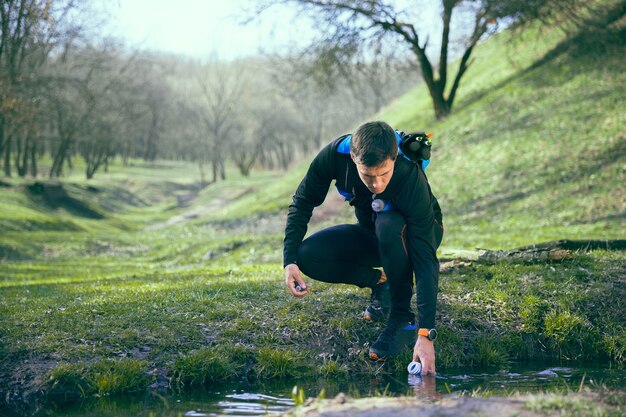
[{"x": 256, "y": 400}]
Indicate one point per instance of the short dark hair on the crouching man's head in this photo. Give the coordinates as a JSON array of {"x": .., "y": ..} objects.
[{"x": 373, "y": 143}]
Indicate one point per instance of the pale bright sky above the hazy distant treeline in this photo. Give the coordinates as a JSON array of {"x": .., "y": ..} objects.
[{"x": 204, "y": 28}]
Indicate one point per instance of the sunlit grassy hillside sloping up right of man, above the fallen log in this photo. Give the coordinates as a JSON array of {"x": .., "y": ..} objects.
[{"x": 536, "y": 147}]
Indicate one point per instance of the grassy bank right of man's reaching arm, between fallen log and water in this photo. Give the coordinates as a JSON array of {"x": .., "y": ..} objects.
[{"x": 525, "y": 311}]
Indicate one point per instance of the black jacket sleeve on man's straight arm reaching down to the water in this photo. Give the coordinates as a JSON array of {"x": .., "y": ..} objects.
[{"x": 416, "y": 205}]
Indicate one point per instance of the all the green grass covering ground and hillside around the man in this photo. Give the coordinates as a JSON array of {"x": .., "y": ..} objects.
[{"x": 98, "y": 306}]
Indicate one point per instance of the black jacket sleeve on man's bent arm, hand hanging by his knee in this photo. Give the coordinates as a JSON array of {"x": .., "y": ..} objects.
[{"x": 310, "y": 193}]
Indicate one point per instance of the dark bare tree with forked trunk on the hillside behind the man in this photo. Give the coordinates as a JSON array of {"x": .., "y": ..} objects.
[{"x": 353, "y": 24}]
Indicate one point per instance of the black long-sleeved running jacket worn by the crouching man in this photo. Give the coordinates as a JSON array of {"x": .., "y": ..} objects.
[{"x": 408, "y": 192}]
